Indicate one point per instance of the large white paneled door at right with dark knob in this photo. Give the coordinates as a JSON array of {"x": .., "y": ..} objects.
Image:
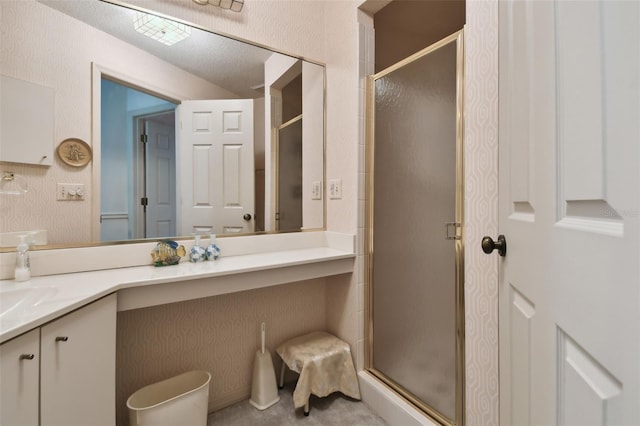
[{"x": 569, "y": 190}]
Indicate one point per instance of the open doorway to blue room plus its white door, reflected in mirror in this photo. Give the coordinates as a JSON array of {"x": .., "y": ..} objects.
[{"x": 142, "y": 194}]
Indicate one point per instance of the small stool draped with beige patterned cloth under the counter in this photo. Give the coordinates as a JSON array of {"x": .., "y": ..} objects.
[{"x": 324, "y": 364}]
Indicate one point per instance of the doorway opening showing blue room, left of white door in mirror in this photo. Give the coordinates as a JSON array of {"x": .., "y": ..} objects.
[{"x": 125, "y": 167}]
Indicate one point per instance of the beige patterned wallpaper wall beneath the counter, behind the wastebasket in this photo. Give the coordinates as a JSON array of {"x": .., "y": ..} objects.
[{"x": 219, "y": 334}]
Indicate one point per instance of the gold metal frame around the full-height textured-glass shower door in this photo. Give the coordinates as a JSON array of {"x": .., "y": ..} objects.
[{"x": 459, "y": 234}]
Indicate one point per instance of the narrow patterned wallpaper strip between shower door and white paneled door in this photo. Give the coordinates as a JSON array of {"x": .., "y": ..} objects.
[{"x": 481, "y": 212}]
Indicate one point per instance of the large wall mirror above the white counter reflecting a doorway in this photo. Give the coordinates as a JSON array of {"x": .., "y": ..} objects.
[{"x": 188, "y": 131}]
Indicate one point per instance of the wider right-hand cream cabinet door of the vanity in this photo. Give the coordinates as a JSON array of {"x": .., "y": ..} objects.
[{"x": 77, "y": 377}]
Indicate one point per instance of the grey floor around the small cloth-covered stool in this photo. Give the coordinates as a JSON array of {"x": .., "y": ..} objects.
[{"x": 336, "y": 409}]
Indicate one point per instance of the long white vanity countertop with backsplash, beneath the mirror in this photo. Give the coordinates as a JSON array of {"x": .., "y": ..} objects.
[{"x": 247, "y": 263}]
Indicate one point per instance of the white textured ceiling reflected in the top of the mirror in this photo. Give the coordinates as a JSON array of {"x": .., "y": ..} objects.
[{"x": 233, "y": 65}]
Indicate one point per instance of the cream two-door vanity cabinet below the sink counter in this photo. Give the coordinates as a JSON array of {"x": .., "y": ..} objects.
[{"x": 74, "y": 361}]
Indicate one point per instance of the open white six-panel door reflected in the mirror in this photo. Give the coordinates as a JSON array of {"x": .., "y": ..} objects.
[{"x": 216, "y": 166}]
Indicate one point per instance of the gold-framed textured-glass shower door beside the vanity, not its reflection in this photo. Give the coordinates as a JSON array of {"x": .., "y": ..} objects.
[{"x": 414, "y": 229}]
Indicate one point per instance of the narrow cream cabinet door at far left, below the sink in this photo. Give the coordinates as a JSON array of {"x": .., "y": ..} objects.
[{"x": 19, "y": 365}]
